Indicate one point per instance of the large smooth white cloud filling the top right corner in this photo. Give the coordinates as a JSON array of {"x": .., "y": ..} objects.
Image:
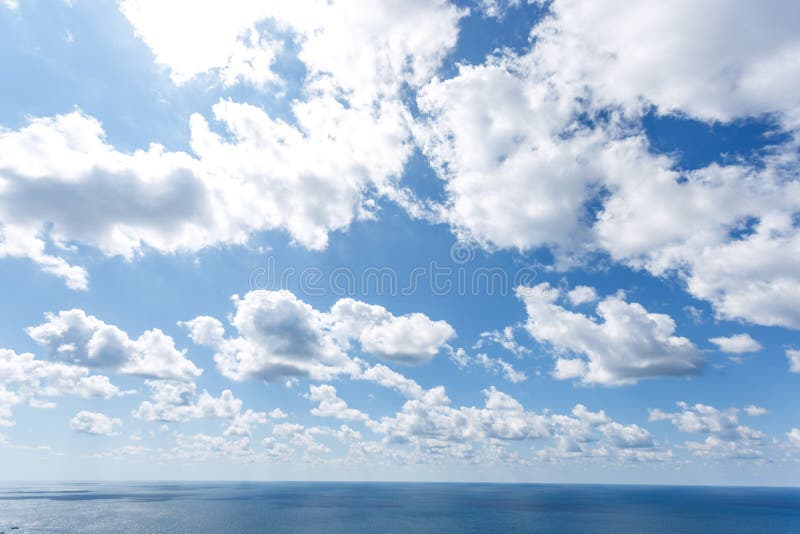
[{"x": 725, "y": 54}]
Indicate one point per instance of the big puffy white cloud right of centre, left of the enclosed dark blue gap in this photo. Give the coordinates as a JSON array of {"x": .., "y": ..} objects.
[{"x": 496, "y": 135}]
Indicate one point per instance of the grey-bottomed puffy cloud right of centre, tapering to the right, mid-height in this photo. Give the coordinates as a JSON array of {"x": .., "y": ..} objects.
[{"x": 627, "y": 344}]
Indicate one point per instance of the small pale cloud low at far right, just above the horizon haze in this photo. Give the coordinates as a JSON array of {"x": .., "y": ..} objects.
[{"x": 726, "y": 437}]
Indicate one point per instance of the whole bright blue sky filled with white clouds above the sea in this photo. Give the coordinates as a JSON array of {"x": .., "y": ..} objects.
[{"x": 431, "y": 240}]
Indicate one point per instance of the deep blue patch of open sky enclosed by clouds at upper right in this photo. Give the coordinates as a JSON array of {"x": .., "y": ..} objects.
[{"x": 696, "y": 144}]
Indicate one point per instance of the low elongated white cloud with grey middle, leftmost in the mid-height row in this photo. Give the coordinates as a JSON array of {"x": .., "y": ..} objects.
[{"x": 79, "y": 339}]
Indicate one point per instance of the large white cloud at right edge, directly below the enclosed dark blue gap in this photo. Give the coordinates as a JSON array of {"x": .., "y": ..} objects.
[{"x": 748, "y": 277}]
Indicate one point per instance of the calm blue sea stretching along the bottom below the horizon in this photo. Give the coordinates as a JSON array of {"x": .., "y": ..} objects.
[{"x": 356, "y": 508}]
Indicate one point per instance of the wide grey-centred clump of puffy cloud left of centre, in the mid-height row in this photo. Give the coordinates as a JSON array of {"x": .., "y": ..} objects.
[{"x": 279, "y": 336}]
